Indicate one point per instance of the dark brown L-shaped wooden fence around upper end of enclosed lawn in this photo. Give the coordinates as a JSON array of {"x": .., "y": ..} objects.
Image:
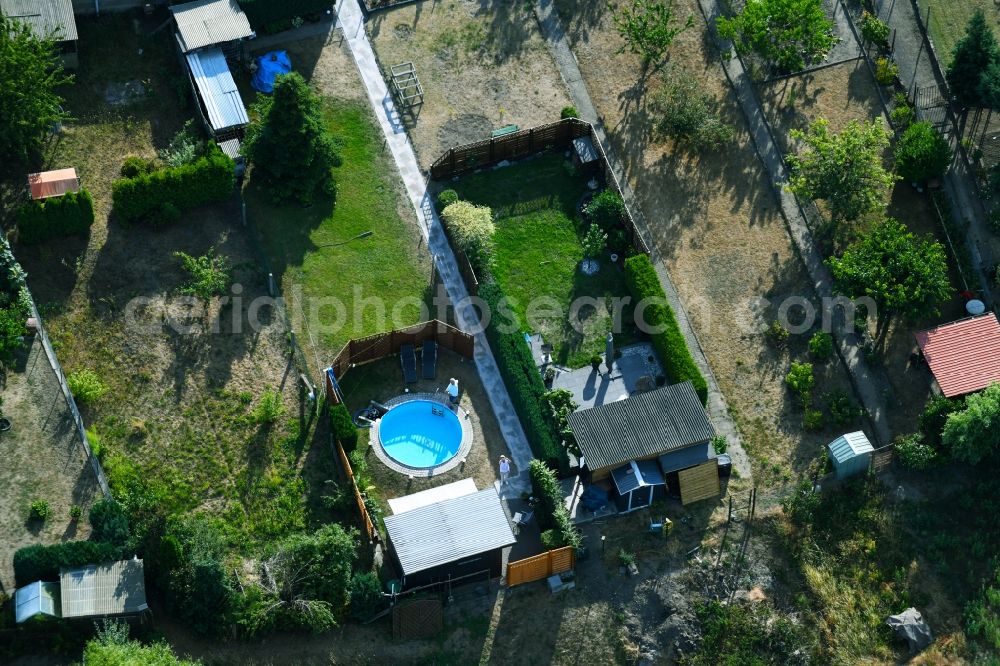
[{"x": 524, "y": 143}]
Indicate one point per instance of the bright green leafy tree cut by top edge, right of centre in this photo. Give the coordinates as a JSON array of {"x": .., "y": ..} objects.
[{"x": 789, "y": 34}]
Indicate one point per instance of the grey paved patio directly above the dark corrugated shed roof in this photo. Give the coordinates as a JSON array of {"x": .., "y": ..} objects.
[{"x": 592, "y": 389}]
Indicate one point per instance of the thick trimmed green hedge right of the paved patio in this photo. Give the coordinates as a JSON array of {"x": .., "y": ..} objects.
[{"x": 670, "y": 345}]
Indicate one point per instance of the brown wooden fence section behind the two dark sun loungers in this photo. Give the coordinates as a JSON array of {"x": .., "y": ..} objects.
[{"x": 381, "y": 345}]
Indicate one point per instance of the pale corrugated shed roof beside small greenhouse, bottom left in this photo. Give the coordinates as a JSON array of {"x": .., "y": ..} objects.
[{"x": 114, "y": 588}]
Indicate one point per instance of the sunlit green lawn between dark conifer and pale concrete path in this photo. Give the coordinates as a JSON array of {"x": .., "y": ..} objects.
[{"x": 312, "y": 250}]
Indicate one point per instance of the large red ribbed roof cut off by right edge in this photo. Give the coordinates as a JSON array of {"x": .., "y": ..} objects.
[{"x": 964, "y": 355}]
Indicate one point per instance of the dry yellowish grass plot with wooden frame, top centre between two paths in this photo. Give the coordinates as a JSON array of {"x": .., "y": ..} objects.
[{"x": 482, "y": 64}]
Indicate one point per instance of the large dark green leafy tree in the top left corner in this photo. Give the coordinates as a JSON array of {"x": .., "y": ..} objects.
[{"x": 31, "y": 72}]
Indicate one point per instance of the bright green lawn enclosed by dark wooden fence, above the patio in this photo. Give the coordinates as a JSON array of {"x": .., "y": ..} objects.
[{"x": 538, "y": 254}]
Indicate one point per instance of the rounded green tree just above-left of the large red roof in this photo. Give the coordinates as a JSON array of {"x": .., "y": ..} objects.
[{"x": 905, "y": 275}]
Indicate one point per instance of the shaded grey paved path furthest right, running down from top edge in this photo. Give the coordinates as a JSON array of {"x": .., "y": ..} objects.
[{"x": 914, "y": 54}]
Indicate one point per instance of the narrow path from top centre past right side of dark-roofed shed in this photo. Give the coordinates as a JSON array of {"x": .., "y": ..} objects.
[{"x": 718, "y": 410}]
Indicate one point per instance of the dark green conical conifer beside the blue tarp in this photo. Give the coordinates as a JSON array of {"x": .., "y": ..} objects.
[{"x": 288, "y": 142}]
